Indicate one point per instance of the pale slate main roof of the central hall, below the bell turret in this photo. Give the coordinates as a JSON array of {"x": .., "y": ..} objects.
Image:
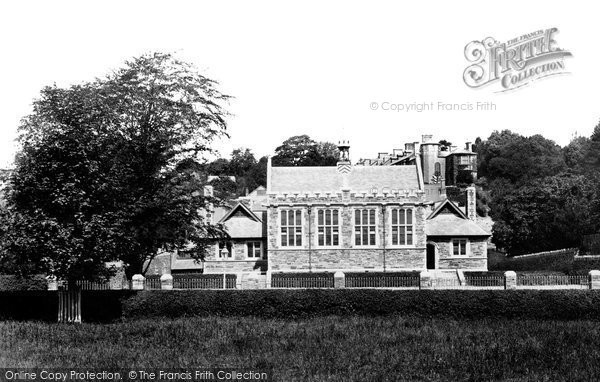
[{"x": 328, "y": 179}]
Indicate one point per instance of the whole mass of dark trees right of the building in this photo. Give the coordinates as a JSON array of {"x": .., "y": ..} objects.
[{"x": 542, "y": 197}]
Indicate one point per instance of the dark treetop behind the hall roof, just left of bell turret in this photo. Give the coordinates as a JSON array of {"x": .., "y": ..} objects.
[{"x": 301, "y": 150}]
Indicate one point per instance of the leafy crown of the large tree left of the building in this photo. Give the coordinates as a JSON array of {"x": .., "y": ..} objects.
[{"x": 97, "y": 177}]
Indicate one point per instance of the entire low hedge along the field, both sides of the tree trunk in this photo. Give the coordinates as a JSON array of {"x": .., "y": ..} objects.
[{"x": 104, "y": 306}]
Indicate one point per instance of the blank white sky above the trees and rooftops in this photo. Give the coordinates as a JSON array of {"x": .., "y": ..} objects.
[{"x": 313, "y": 67}]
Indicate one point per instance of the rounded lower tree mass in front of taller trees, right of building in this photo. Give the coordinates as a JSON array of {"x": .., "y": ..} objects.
[{"x": 551, "y": 213}]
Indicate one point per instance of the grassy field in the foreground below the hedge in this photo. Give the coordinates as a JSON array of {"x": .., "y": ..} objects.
[{"x": 329, "y": 348}]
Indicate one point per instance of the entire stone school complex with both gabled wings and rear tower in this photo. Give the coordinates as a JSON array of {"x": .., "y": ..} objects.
[{"x": 345, "y": 218}]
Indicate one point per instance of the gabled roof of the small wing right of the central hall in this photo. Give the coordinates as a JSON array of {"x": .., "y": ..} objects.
[{"x": 448, "y": 220}]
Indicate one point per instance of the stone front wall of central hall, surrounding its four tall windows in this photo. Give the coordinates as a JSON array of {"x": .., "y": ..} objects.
[{"x": 346, "y": 256}]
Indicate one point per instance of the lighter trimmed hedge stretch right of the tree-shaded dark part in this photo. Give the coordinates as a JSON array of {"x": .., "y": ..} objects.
[{"x": 534, "y": 304}]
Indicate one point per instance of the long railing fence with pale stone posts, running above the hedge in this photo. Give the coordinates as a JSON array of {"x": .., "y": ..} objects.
[{"x": 424, "y": 280}]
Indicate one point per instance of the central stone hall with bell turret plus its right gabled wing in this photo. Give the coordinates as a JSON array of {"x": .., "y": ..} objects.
[{"x": 366, "y": 218}]
